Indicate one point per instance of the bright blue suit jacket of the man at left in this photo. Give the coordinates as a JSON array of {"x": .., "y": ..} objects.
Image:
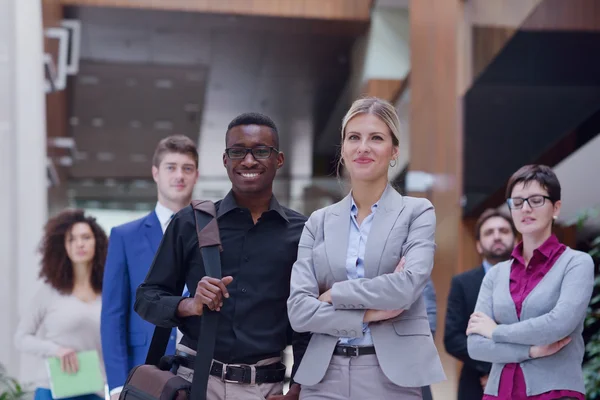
[{"x": 125, "y": 336}]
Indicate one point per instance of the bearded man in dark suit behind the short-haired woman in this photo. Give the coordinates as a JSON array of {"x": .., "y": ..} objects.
[{"x": 495, "y": 234}]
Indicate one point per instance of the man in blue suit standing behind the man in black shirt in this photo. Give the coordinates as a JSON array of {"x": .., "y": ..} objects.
[{"x": 125, "y": 336}]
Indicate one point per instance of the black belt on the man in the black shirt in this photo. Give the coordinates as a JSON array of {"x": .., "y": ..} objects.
[{"x": 237, "y": 373}]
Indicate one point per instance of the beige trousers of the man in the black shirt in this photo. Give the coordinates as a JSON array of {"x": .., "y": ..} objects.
[{"x": 219, "y": 390}]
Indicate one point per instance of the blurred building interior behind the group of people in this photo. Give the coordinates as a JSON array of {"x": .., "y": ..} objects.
[{"x": 482, "y": 87}]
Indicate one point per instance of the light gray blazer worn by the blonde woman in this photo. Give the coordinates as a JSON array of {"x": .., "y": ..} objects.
[{"x": 402, "y": 226}]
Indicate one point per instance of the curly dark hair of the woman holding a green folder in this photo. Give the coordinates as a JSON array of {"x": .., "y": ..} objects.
[{"x": 57, "y": 269}]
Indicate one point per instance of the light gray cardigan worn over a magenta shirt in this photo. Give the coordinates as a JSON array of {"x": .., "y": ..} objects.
[{"x": 554, "y": 309}]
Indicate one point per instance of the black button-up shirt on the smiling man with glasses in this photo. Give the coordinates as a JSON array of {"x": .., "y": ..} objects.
[{"x": 253, "y": 323}]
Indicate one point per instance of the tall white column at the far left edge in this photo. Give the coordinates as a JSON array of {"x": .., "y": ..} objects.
[{"x": 23, "y": 205}]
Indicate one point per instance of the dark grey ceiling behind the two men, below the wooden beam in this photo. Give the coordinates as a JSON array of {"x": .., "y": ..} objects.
[{"x": 284, "y": 68}]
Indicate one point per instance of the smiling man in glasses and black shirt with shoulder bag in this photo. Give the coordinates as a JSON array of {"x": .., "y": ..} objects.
[{"x": 260, "y": 239}]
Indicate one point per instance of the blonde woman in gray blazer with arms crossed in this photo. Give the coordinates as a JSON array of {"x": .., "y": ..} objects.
[{"x": 364, "y": 306}]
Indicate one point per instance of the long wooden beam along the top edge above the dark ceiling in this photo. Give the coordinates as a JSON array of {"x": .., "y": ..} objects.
[{"x": 350, "y": 10}]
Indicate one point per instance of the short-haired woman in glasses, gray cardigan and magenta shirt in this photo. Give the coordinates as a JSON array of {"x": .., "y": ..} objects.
[{"x": 528, "y": 321}]
